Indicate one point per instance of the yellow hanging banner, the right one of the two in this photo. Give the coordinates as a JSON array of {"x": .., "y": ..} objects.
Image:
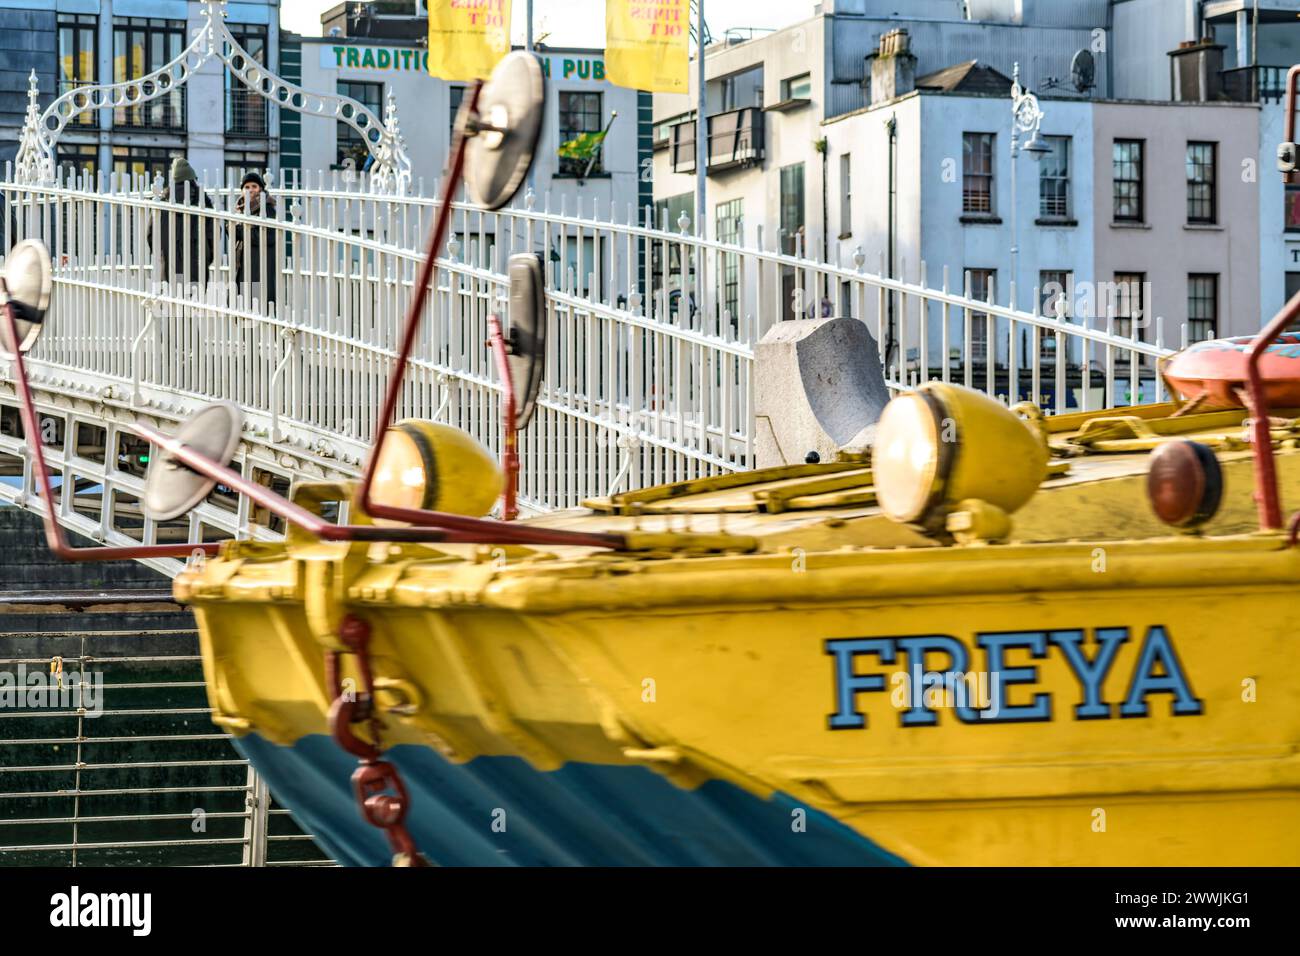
[{"x": 645, "y": 45}]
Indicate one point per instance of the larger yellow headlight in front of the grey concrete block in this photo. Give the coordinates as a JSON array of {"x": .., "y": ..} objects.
[{"x": 943, "y": 444}]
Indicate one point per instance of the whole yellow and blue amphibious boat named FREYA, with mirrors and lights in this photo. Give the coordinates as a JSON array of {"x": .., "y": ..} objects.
[{"x": 977, "y": 637}]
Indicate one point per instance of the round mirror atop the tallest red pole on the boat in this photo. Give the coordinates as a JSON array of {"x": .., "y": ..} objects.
[{"x": 509, "y": 126}]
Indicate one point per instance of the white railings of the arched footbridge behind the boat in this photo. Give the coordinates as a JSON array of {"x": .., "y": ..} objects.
[{"x": 652, "y": 334}]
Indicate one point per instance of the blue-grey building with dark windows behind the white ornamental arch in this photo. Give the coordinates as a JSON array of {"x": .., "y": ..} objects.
[{"x": 213, "y": 120}]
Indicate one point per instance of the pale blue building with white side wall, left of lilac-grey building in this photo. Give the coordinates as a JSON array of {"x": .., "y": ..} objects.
[{"x": 939, "y": 215}]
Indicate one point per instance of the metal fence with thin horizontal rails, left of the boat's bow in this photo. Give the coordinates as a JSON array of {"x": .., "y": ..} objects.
[{"x": 107, "y": 754}]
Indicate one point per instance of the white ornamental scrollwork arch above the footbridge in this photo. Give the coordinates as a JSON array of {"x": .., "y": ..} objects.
[{"x": 391, "y": 167}]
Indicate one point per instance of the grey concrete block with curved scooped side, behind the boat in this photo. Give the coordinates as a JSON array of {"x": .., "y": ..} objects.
[{"x": 818, "y": 388}]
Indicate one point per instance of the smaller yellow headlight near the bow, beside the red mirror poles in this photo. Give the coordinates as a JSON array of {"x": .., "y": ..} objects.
[{"x": 426, "y": 465}]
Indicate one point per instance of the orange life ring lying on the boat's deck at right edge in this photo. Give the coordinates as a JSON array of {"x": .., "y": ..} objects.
[{"x": 1215, "y": 371}]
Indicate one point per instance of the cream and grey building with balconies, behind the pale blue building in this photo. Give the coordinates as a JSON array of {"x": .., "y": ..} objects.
[{"x": 772, "y": 96}]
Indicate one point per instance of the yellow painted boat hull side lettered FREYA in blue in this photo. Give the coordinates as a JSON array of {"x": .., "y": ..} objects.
[{"x": 1119, "y": 704}]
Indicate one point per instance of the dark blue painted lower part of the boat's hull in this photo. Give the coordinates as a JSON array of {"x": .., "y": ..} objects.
[{"x": 580, "y": 815}]
